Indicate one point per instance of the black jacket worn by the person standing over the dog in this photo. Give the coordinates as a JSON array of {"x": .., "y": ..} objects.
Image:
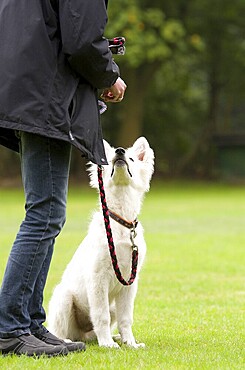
[{"x": 53, "y": 58}]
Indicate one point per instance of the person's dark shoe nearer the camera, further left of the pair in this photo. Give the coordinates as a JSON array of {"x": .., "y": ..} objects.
[{"x": 29, "y": 345}]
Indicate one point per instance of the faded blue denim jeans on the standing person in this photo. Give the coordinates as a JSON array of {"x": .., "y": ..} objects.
[{"x": 45, "y": 167}]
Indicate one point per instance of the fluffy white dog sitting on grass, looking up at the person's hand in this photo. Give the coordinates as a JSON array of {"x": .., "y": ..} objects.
[{"x": 90, "y": 299}]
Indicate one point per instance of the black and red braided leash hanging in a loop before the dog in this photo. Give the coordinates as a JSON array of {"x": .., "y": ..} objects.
[{"x": 110, "y": 238}]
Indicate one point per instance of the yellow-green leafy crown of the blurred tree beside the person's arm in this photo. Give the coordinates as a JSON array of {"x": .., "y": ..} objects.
[{"x": 148, "y": 33}]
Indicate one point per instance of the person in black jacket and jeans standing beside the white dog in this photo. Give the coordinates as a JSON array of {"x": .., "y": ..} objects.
[{"x": 54, "y": 58}]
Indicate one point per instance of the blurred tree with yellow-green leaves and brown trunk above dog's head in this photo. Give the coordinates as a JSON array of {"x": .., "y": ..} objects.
[{"x": 151, "y": 40}]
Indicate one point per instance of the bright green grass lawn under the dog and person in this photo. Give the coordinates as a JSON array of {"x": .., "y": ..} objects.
[{"x": 190, "y": 305}]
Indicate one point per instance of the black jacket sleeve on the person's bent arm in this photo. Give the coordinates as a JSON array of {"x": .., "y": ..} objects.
[{"x": 82, "y": 24}]
